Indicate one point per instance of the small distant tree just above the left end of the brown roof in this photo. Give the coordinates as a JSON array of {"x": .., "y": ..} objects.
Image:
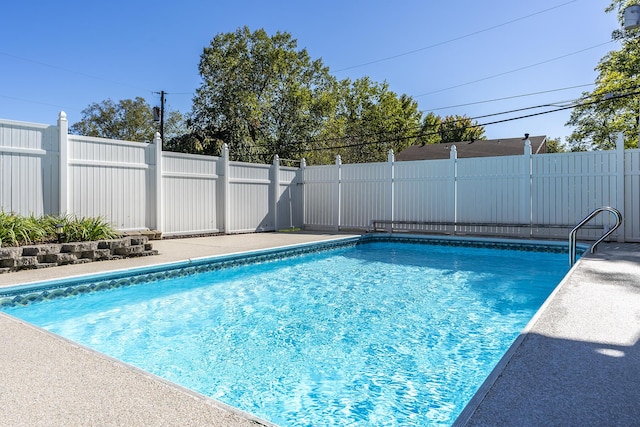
[{"x": 436, "y": 129}]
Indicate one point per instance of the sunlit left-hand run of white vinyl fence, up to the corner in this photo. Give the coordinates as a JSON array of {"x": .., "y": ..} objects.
[{"x": 136, "y": 185}]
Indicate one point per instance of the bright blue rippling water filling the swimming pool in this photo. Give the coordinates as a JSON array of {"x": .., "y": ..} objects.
[{"x": 374, "y": 334}]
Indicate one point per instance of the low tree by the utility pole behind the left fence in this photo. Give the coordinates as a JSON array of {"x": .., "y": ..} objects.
[{"x": 130, "y": 120}]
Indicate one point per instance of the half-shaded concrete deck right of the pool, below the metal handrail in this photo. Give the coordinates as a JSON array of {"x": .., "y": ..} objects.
[{"x": 578, "y": 362}]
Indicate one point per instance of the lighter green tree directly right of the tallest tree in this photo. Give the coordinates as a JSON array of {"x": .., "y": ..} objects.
[{"x": 368, "y": 121}]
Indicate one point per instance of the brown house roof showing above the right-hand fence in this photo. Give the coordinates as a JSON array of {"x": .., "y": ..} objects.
[{"x": 479, "y": 148}]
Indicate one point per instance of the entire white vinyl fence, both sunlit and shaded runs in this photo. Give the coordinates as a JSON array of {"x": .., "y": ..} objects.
[{"x": 135, "y": 185}]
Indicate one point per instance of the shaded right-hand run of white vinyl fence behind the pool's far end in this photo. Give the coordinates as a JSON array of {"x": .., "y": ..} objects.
[{"x": 542, "y": 195}]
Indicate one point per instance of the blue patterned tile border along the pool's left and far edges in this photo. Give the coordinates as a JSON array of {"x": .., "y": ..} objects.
[{"x": 27, "y": 294}]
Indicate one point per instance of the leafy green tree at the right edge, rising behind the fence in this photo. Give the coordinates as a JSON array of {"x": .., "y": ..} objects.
[{"x": 612, "y": 106}]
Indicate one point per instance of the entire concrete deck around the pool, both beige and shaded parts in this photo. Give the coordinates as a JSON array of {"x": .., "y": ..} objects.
[{"x": 577, "y": 364}]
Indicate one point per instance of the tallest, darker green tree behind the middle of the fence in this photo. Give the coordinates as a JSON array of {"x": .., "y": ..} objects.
[{"x": 260, "y": 95}]
